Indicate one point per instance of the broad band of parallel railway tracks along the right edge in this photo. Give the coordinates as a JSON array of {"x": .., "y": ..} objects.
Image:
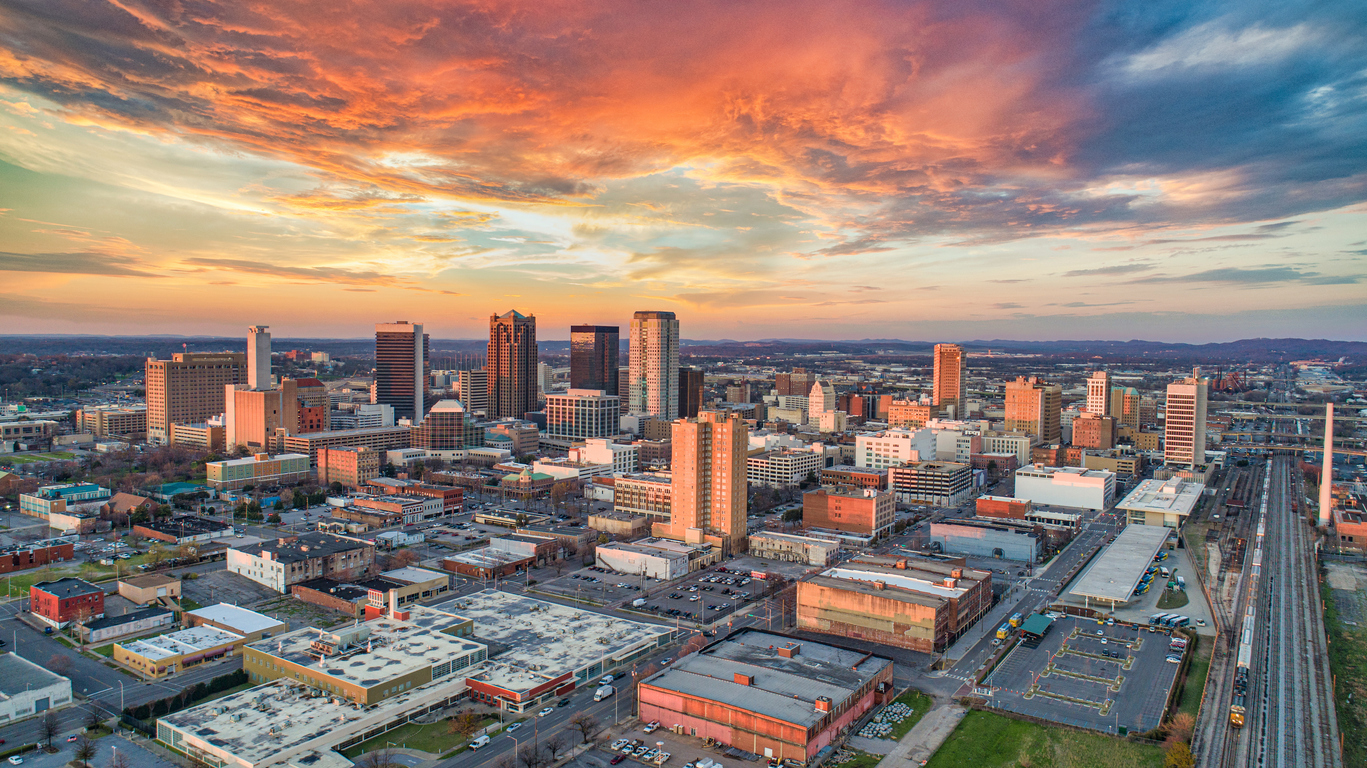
[{"x": 1292, "y": 713}]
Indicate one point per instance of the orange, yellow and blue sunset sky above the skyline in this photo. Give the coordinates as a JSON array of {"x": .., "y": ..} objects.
[{"x": 1186, "y": 172}]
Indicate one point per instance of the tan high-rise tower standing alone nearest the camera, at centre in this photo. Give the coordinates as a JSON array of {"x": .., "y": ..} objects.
[{"x": 709, "y": 482}]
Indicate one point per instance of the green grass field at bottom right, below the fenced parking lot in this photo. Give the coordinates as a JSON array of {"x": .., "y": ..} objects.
[{"x": 985, "y": 740}]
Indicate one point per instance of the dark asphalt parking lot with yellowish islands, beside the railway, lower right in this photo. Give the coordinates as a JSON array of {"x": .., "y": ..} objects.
[{"x": 1101, "y": 677}]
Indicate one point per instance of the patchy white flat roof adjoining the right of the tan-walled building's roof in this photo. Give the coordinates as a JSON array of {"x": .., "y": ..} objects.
[{"x": 539, "y": 642}]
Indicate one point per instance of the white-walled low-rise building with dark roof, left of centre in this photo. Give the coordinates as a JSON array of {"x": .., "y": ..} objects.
[{"x": 290, "y": 561}]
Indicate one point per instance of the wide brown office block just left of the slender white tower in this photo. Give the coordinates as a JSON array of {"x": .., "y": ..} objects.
[{"x": 188, "y": 389}]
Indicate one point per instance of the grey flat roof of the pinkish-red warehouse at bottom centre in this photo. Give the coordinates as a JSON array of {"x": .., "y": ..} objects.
[{"x": 784, "y": 688}]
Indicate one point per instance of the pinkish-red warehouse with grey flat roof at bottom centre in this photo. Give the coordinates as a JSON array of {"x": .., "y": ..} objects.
[{"x": 768, "y": 694}]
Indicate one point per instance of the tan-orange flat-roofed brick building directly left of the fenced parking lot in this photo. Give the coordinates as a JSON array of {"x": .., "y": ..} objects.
[{"x": 908, "y": 603}]
